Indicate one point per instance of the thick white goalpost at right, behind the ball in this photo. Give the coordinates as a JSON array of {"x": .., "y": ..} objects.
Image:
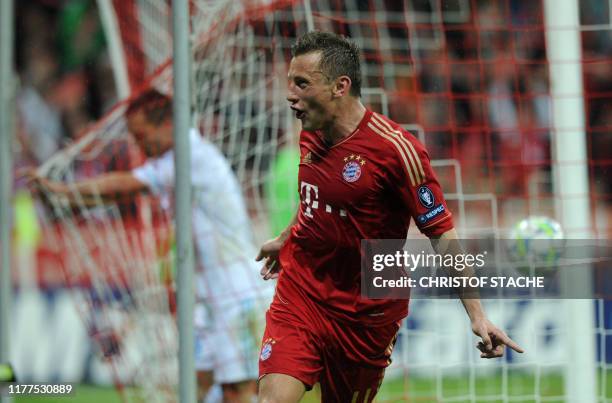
[{"x": 571, "y": 185}]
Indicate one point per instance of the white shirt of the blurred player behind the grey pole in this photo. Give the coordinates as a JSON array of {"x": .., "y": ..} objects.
[{"x": 221, "y": 227}]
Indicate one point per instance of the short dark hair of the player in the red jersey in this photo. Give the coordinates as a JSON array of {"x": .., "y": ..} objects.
[{"x": 339, "y": 56}]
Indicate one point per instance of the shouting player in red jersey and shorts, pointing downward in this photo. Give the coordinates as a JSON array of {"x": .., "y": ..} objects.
[{"x": 361, "y": 176}]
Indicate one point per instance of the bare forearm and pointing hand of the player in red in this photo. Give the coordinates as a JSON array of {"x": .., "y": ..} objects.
[{"x": 493, "y": 339}]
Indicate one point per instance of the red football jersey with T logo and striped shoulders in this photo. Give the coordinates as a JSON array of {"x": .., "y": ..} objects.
[{"x": 365, "y": 187}]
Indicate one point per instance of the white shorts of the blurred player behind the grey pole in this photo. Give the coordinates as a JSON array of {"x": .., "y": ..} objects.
[{"x": 228, "y": 337}]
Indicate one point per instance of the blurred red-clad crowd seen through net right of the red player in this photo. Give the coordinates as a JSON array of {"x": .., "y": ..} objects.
[{"x": 483, "y": 98}]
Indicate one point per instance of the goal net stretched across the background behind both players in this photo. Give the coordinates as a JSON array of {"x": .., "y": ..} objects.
[{"x": 469, "y": 78}]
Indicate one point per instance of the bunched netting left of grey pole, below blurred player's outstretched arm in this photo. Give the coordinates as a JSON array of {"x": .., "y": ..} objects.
[{"x": 119, "y": 256}]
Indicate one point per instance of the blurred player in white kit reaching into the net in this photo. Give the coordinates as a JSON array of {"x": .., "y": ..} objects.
[{"x": 231, "y": 299}]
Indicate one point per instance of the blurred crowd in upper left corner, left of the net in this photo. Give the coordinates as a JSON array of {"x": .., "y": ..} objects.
[{"x": 65, "y": 77}]
